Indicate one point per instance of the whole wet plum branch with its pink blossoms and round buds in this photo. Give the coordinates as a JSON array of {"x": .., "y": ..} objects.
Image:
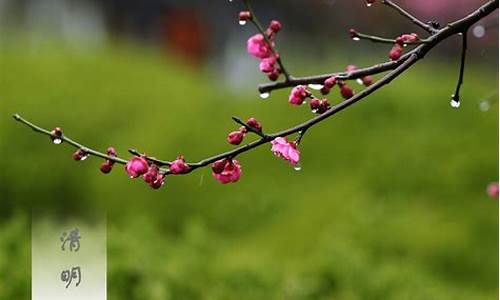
[{"x": 224, "y": 166}]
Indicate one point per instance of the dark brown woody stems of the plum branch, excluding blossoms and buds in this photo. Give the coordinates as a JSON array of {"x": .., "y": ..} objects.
[{"x": 397, "y": 67}]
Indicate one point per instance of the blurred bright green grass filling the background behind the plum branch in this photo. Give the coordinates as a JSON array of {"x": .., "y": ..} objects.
[{"x": 390, "y": 203}]
